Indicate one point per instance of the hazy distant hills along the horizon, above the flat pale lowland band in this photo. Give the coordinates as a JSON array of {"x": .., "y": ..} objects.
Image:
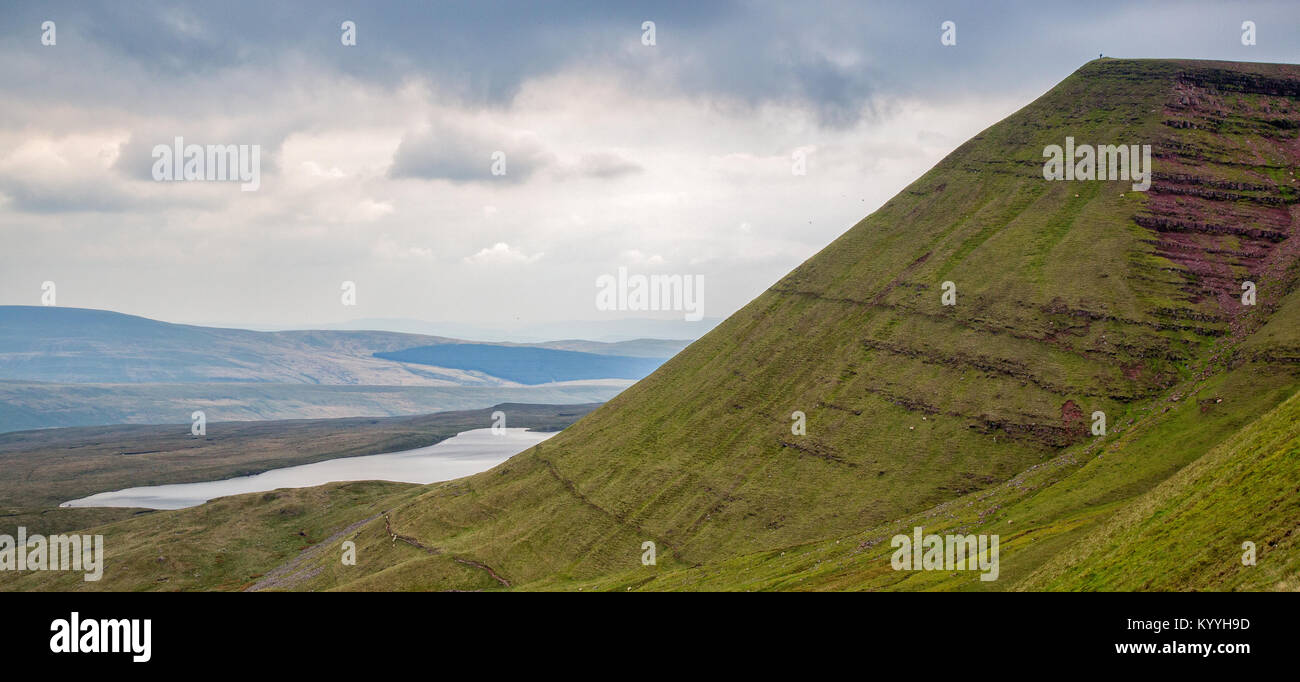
[{"x": 84, "y": 346}]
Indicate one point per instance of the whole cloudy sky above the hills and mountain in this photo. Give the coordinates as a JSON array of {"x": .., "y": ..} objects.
[{"x": 674, "y": 157}]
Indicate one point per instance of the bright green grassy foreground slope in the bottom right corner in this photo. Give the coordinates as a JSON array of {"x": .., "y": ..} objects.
[{"x": 1186, "y": 533}]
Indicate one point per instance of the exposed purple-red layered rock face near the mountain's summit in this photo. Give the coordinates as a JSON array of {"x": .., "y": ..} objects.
[{"x": 1220, "y": 211}]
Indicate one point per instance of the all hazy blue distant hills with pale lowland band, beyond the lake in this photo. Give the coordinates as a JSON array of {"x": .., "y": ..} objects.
[{"x": 70, "y": 367}]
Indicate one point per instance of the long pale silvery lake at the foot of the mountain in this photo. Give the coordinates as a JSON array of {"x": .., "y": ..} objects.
[{"x": 462, "y": 455}]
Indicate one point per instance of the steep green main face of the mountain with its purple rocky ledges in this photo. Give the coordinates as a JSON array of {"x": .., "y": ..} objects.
[{"x": 1072, "y": 298}]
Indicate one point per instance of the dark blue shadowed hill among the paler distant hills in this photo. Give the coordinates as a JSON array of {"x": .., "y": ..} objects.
[{"x": 527, "y": 366}]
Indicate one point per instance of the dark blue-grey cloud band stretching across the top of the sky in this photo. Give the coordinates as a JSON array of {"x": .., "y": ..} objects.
[{"x": 833, "y": 57}]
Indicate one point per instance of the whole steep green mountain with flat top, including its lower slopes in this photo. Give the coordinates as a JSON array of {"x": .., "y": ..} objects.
[{"x": 1072, "y": 299}]
